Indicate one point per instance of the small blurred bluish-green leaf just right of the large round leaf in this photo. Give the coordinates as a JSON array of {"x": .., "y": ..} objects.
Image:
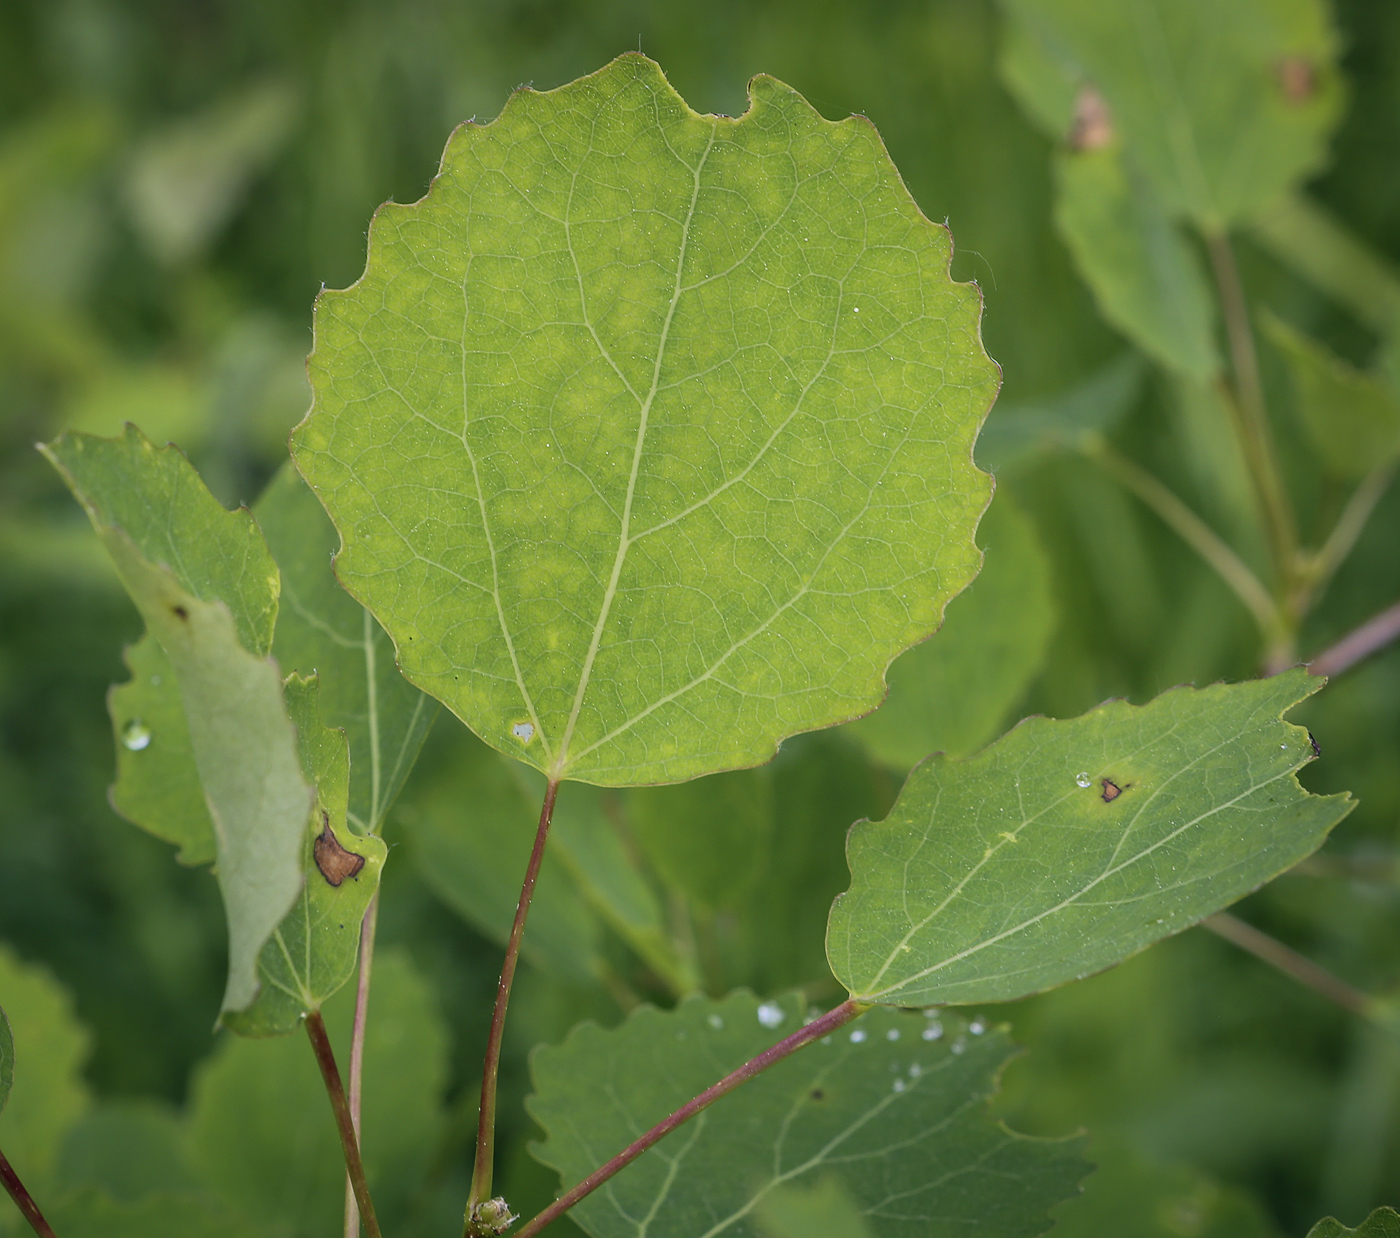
[{"x": 1017, "y": 435}]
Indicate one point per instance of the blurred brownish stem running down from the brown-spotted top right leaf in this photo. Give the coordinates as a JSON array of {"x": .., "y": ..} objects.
[{"x": 1251, "y": 415}]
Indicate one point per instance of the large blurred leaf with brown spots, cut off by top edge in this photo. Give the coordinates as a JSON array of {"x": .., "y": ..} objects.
[{"x": 1223, "y": 107}]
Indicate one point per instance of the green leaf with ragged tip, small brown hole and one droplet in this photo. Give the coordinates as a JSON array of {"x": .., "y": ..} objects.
[{"x": 1066, "y": 847}]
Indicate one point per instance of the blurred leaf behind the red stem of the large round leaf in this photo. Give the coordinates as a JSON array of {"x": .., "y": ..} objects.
[{"x": 471, "y": 837}]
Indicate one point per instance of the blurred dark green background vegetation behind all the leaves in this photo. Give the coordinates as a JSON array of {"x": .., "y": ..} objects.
[{"x": 180, "y": 180}]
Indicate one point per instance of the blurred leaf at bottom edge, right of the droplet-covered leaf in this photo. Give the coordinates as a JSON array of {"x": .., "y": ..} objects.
[{"x": 1149, "y": 1201}]
